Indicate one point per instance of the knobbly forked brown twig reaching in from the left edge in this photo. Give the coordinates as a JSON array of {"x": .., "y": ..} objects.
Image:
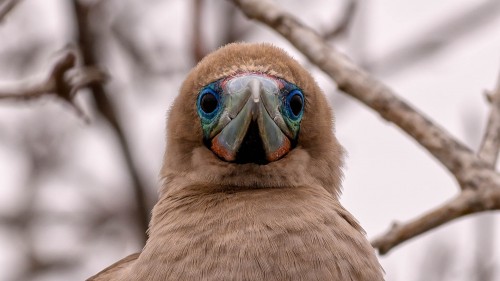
[{"x": 64, "y": 81}]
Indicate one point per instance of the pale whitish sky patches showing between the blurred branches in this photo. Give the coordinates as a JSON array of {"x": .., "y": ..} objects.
[{"x": 388, "y": 176}]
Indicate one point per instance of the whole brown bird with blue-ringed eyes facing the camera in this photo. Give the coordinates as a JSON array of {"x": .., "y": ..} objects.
[{"x": 251, "y": 180}]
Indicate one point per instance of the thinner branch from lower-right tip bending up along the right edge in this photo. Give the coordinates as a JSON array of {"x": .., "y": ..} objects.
[{"x": 482, "y": 193}]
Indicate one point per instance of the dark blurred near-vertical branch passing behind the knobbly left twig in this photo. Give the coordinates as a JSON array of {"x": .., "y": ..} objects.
[{"x": 88, "y": 45}]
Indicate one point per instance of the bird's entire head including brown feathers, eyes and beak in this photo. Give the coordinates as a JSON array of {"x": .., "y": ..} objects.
[{"x": 249, "y": 116}]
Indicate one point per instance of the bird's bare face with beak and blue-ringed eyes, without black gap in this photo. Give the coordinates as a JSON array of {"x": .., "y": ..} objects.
[{"x": 228, "y": 106}]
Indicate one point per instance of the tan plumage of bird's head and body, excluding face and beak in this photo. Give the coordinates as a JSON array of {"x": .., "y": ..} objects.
[{"x": 218, "y": 220}]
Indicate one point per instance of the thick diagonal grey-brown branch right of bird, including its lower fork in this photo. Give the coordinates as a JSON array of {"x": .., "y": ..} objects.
[{"x": 479, "y": 181}]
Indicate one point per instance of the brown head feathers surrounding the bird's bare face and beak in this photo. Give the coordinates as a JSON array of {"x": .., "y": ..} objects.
[{"x": 317, "y": 157}]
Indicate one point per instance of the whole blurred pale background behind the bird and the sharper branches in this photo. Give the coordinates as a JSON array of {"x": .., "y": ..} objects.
[{"x": 76, "y": 196}]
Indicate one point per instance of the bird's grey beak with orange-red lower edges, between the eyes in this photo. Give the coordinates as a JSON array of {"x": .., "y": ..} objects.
[{"x": 252, "y": 117}]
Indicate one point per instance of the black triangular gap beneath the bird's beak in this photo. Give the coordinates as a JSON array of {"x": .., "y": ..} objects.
[{"x": 251, "y": 149}]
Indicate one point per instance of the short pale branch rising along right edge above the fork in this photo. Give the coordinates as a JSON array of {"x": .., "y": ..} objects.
[{"x": 490, "y": 145}]
